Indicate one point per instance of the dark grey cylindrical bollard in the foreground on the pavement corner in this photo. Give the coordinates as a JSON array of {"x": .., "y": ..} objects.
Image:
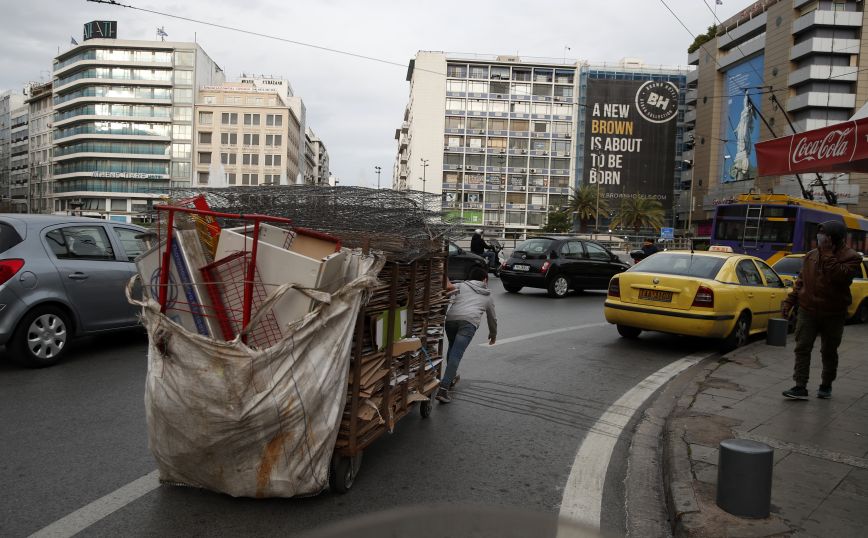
[{"x": 744, "y": 478}]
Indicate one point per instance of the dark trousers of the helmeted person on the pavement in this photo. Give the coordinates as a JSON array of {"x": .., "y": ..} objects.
[{"x": 808, "y": 327}]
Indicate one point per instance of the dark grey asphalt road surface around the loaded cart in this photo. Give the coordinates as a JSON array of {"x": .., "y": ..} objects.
[{"x": 75, "y": 433}]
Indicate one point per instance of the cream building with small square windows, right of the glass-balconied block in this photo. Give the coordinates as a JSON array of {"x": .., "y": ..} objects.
[{"x": 245, "y": 135}]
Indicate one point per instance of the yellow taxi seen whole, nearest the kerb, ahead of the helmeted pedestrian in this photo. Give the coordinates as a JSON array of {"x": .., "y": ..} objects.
[{"x": 713, "y": 294}]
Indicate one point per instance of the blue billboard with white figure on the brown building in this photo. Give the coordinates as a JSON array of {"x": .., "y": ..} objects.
[{"x": 739, "y": 126}]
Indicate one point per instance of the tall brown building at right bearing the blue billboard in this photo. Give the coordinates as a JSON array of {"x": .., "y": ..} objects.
[{"x": 774, "y": 64}]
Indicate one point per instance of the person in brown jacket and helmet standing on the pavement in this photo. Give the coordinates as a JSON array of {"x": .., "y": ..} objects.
[{"x": 822, "y": 293}]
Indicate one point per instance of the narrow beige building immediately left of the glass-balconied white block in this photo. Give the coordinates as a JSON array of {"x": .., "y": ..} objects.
[{"x": 40, "y": 108}]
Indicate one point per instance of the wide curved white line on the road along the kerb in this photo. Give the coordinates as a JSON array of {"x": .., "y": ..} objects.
[{"x": 583, "y": 494}]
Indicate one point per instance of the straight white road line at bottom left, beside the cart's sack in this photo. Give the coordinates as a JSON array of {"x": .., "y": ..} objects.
[{"x": 86, "y": 516}]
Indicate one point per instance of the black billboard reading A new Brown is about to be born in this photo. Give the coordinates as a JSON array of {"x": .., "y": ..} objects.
[{"x": 630, "y": 138}]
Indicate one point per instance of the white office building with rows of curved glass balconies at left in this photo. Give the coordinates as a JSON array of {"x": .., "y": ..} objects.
[{"x": 123, "y": 122}]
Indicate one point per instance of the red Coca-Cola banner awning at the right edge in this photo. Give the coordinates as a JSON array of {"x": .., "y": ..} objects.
[{"x": 842, "y": 147}]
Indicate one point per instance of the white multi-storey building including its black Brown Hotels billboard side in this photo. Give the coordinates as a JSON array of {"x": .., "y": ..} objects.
[{"x": 503, "y": 139}]
